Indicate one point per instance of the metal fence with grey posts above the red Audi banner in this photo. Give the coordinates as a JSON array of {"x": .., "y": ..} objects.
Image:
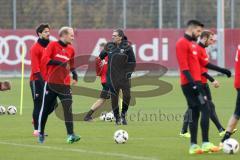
[{"x": 20, "y": 14}]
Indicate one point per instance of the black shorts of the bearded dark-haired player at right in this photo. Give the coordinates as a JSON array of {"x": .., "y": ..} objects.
[{"x": 191, "y": 97}]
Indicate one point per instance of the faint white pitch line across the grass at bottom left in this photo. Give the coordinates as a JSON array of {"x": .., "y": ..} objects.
[{"x": 40, "y": 146}]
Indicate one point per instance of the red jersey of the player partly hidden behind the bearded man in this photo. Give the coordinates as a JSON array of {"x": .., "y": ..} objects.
[{"x": 204, "y": 60}]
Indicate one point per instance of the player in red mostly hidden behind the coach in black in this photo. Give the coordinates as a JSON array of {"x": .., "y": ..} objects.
[{"x": 101, "y": 68}]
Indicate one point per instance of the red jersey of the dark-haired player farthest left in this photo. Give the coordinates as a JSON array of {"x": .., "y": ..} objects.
[{"x": 36, "y": 53}]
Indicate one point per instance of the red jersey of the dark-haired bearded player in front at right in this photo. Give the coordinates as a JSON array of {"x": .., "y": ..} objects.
[{"x": 187, "y": 57}]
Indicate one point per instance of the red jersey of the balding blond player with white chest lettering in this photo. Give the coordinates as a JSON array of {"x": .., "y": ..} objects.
[{"x": 64, "y": 53}]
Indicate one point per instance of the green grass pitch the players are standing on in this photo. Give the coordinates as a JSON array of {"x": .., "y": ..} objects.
[{"x": 148, "y": 138}]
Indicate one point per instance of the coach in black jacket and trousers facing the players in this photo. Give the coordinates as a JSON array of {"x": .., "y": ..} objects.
[{"x": 121, "y": 64}]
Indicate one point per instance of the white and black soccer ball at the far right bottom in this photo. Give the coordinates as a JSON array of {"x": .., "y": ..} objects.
[{"x": 230, "y": 146}]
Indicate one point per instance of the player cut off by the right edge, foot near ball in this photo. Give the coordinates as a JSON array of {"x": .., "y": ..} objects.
[{"x": 236, "y": 115}]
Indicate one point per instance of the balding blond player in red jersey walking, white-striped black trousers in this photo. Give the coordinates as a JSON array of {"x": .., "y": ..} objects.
[{"x": 59, "y": 58}]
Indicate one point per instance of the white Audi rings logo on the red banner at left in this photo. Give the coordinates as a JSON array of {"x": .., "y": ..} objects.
[{"x": 20, "y": 47}]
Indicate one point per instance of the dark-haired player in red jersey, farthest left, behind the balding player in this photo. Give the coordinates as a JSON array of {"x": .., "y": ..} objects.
[{"x": 38, "y": 71}]
